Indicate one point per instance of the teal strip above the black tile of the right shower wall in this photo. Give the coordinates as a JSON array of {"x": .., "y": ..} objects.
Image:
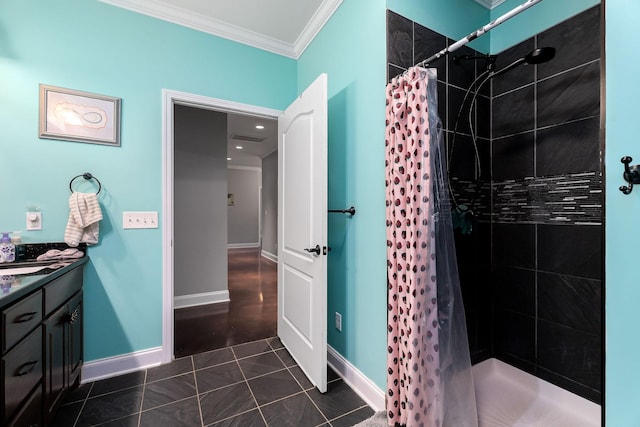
[{"x": 532, "y": 21}]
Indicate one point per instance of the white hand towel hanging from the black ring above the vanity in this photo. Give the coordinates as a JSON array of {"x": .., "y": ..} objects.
[{"x": 84, "y": 216}]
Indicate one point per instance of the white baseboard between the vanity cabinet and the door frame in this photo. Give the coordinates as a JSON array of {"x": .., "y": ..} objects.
[{"x": 122, "y": 364}]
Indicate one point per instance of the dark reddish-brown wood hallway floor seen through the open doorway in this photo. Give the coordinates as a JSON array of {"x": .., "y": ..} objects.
[{"x": 249, "y": 316}]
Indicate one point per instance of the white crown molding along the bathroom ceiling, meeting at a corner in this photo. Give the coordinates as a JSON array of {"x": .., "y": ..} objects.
[{"x": 186, "y": 18}]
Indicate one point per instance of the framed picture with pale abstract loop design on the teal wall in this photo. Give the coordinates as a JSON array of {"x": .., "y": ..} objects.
[{"x": 72, "y": 115}]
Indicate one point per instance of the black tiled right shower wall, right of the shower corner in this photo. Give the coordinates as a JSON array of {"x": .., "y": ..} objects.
[{"x": 546, "y": 218}]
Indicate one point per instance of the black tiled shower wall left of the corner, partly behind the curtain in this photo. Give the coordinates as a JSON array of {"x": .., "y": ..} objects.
[{"x": 407, "y": 44}]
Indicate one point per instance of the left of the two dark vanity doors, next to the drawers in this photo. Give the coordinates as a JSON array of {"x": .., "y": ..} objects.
[{"x": 55, "y": 352}]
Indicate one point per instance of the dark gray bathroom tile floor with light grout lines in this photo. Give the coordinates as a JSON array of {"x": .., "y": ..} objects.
[{"x": 252, "y": 384}]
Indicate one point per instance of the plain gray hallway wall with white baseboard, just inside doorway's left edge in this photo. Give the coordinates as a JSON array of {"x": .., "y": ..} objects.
[{"x": 200, "y": 206}]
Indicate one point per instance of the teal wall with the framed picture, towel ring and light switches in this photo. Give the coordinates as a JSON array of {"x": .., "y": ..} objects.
[{"x": 90, "y": 46}]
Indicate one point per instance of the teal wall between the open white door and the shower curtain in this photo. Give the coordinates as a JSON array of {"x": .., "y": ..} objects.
[{"x": 351, "y": 50}]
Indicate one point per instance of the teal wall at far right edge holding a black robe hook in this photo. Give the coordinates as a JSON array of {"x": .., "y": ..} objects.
[{"x": 622, "y": 393}]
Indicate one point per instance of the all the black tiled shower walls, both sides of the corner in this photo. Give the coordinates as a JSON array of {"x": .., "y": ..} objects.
[{"x": 531, "y": 272}]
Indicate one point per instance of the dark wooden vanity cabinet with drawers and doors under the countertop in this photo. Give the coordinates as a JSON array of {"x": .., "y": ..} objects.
[{"x": 41, "y": 349}]
